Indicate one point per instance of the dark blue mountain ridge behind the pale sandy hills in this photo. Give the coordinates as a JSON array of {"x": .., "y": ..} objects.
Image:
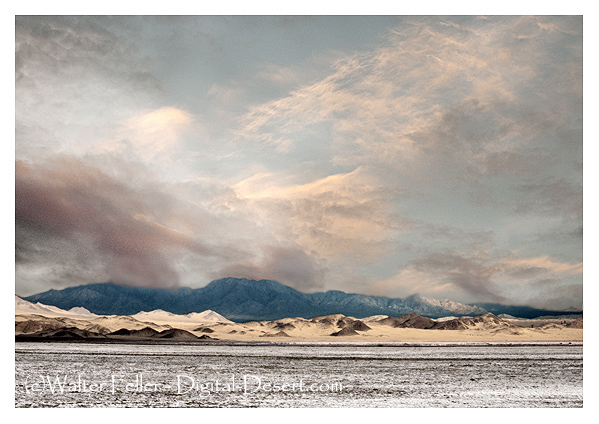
[{"x": 240, "y": 299}]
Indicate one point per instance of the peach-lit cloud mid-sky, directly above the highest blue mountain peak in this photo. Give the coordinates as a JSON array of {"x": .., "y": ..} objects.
[{"x": 341, "y": 214}]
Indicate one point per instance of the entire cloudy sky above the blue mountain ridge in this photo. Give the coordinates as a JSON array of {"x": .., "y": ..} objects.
[{"x": 384, "y": 155}]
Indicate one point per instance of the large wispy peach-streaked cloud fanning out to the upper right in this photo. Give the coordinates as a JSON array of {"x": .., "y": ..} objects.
[{"x": 429, "y": 91}]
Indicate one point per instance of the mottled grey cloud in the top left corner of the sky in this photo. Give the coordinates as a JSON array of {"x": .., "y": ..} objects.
[{"x": 63, "y": 49}]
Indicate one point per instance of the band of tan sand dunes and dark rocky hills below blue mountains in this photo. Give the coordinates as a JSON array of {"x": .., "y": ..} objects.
[{"x": 408, "y": 328}]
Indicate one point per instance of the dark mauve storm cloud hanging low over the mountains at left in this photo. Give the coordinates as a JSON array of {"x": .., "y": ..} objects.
[{"x": 68, "y": 199}]
